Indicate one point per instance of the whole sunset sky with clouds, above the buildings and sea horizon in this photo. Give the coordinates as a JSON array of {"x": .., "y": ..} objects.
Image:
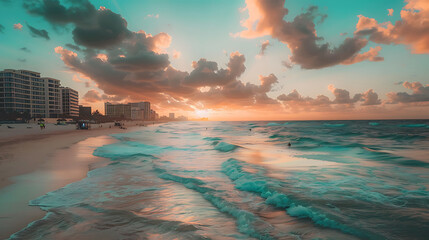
[{"x": 230, "y": 60}]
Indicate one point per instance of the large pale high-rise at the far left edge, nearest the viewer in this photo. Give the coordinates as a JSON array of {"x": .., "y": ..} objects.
[{"x": 22, "y": 91}]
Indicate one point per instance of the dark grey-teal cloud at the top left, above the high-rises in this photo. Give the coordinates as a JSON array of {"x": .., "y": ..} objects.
[{"x": 92, "y": 28}]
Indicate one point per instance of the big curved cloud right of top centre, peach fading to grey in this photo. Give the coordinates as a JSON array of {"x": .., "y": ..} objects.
[{"x": 266, "y": 17}]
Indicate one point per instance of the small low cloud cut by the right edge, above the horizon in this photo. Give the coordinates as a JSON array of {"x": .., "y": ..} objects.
[{"x": 420, "y": 94}]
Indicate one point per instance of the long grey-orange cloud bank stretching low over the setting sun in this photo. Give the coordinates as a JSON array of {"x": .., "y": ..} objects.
[{"x": 169, "y": 86}]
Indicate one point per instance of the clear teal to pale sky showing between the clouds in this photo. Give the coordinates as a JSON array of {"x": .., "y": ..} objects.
[{"x": 204, "y": 29}]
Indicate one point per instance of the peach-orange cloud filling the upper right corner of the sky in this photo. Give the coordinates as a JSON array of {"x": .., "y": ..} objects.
[{"x": 412, "y": 30}]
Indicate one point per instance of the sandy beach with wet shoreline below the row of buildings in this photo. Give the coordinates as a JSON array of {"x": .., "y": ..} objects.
[{"x": 34, "y": 162}]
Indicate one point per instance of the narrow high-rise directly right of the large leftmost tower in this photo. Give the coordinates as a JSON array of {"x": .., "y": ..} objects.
[{"x": 53, "y": 97}]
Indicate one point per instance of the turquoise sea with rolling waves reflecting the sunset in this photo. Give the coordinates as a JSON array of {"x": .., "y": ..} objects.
[{"x": 241, "y": 180}]
